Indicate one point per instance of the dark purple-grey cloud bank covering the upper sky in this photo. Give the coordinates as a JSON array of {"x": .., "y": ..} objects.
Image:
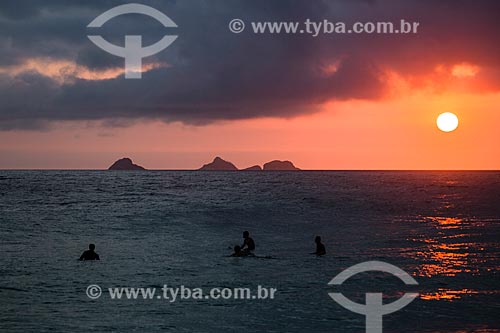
[{"x": 213, "y": 74}]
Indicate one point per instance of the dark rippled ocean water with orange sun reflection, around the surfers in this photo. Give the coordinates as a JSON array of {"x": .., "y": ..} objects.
[{"x": 175, "y": 227}]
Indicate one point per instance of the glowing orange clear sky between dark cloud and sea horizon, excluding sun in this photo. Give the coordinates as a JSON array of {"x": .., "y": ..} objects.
[{"x": 395, "y": 132}]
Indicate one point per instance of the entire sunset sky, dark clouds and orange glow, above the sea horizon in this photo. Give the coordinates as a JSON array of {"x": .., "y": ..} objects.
[{"x": 327, "y": 102}]
